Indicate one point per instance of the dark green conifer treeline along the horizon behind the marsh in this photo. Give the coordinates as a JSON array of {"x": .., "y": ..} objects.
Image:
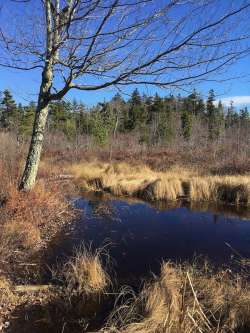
[{"x": 153, "y": 120}]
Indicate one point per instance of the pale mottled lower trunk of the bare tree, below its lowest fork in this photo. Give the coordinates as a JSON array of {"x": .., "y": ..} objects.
[{"x": 33, "y": 159}]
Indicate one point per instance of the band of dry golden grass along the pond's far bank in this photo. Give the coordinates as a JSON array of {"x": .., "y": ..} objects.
[{"x": 122, "y": 179}]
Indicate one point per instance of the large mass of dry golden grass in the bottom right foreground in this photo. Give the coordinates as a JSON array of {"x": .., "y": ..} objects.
[{"x": 186, "y": 300}]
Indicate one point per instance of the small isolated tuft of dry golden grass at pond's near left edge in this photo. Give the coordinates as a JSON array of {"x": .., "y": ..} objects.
[{"x": 84, "y": 273}]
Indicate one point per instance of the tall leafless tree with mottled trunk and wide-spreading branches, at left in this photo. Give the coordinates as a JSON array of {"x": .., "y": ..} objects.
[{"x": 94, "y": 44}]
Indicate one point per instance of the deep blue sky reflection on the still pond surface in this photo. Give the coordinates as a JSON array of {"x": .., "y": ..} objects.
[{"x": 141, "y": 236}]
